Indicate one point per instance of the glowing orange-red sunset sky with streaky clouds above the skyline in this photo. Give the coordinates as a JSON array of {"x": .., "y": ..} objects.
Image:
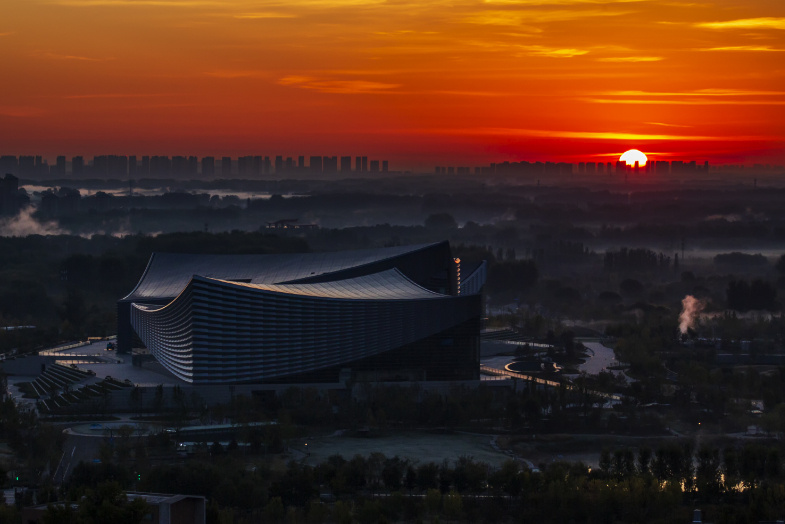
[{"x": 464, "y": 82}]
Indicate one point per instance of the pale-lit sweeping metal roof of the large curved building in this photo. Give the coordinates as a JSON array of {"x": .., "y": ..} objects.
[{"x": 167, "y": 274}]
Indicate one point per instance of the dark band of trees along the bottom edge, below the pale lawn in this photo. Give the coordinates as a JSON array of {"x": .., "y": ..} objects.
[{"x": 741, "y": 483}]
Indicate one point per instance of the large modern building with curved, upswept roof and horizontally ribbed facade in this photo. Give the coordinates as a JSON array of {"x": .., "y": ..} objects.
[{"x": 401, "y": 313}]
